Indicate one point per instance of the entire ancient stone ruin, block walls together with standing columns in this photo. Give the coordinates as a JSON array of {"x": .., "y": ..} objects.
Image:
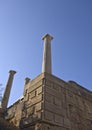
[{"x": 49, "y": 103}]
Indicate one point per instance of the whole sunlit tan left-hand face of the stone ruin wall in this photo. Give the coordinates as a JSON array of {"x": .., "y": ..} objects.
[{"x": 27, "y": 111}]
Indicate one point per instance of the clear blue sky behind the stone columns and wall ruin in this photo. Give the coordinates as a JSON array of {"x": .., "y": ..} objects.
[{"x": 22, "y": 25}]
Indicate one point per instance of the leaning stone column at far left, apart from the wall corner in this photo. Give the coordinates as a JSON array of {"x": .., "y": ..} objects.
[{"x": 6, "y": 95}]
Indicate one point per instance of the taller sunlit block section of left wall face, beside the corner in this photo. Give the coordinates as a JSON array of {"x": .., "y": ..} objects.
[{"x": 33, "y": 97}]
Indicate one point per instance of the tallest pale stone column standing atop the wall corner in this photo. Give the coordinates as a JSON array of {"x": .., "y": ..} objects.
[{"x": 46, "y": 64}]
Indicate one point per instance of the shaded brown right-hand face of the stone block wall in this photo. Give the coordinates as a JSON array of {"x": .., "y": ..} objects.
[{"x": 67, "y": 105}]
